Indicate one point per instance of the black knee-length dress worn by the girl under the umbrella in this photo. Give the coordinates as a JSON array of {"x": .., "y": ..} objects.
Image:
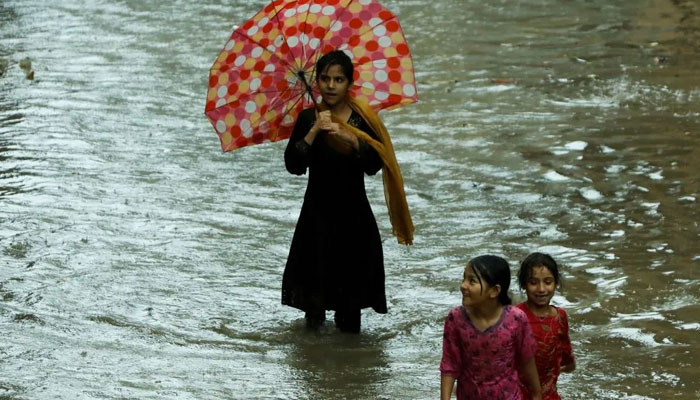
[{"x": 335, "y": 261}]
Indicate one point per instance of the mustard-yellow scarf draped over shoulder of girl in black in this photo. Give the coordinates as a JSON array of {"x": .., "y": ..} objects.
[{"x": 394, "y": 194}]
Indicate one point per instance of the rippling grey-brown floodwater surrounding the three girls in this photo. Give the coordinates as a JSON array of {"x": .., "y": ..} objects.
[{"x": 139, "y": 261}]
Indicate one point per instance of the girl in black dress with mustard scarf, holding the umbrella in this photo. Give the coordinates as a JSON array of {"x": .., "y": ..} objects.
[{"x": 335, "y": 261}]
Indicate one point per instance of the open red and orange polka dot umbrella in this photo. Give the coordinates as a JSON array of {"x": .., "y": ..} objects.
[{"x": 265, "y": 74}]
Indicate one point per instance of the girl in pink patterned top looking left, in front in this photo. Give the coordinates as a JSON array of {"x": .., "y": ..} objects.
[{"x": 486, "y": 340}]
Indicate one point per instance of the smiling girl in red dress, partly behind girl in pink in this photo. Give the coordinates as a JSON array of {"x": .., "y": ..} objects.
[{"x": 539, "y": 277}]
